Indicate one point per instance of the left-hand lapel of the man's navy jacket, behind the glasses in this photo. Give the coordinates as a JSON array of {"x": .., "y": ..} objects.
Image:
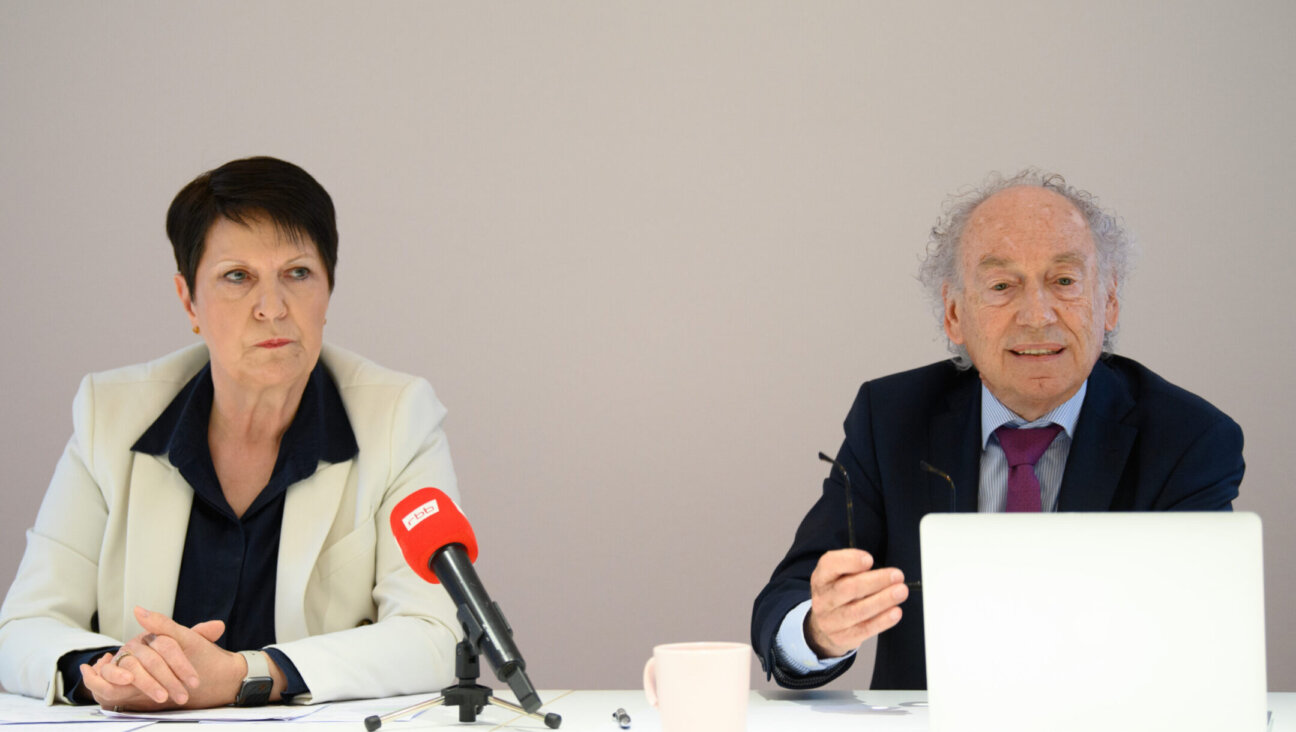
[{"x": 955, "y": 446}]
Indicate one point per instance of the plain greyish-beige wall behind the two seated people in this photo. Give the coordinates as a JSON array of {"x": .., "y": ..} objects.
[{"x": 647, "y": 252}]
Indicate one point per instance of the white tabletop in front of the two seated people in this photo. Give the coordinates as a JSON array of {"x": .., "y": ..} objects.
[{"x": 592, "y": 712}]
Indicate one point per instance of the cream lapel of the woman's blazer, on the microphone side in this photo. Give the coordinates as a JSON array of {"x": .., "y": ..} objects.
[{"x": 310, "y": 507}]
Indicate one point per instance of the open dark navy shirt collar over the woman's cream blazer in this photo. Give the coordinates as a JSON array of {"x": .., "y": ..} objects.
[{"x": 321, "y": 429}]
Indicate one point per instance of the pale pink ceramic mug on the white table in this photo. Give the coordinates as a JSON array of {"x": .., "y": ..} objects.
[{"x": 700, "y": 686}]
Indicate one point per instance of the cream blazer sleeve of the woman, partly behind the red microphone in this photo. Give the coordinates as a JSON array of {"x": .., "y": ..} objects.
[{"x": 411, "y": 646}]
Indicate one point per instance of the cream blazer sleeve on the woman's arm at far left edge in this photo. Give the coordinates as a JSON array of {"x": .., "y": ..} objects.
[{"x": 52, "y": 600}]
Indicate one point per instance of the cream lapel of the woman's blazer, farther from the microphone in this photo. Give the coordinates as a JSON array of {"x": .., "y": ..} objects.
[{"x": 157, "y": 521}]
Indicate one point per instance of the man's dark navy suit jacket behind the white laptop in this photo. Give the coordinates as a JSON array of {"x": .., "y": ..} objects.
[{"x": 1141, "y": 445}]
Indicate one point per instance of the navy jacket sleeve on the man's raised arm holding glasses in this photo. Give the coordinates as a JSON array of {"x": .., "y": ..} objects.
[{"x": 824, "y": 529}]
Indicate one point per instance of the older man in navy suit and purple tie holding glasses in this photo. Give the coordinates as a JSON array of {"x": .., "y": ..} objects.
[{"x": 1032, "y": 414}]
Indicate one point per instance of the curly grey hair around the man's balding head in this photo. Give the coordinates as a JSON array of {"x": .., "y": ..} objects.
[{"x": 940, "y": 266}]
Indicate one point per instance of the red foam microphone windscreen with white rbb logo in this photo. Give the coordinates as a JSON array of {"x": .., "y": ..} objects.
[{"x": 426, "y": 521}]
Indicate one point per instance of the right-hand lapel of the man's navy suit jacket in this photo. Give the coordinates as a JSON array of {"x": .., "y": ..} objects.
[{"x": 1102, "y": 444}]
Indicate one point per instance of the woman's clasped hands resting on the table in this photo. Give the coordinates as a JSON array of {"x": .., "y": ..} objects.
[{"x": 168, "y": 667}]
